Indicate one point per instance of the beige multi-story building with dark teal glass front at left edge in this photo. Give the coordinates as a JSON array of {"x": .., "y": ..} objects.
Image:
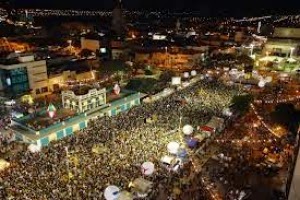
[{"x": 23, "y": 74}]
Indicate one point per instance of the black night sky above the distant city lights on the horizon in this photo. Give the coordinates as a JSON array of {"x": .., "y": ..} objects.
[{"x": 207, "y": 7}]
